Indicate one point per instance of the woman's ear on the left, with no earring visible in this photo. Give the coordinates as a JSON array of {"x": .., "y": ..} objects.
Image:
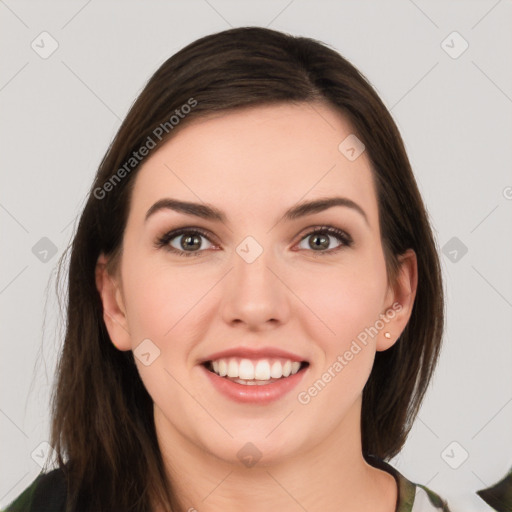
[{"x": 114, "y": 313}]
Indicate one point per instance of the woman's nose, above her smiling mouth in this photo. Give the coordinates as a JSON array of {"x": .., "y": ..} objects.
[{"x": 255, "y": 294}]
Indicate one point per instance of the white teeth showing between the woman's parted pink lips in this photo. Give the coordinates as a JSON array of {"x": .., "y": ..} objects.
[{"x": 255, "y": 372}]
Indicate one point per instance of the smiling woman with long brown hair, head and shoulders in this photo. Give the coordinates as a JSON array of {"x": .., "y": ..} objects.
[{"x": 255, "y": 297}]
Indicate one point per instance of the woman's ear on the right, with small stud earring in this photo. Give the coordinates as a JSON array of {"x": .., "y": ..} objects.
[{"x": 399, "y": 301}]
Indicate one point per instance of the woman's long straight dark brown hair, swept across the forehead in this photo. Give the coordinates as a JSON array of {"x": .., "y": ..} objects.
[{"x": 102, "y": 416}]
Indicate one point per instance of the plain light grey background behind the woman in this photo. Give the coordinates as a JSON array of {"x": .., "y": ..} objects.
[{"x": 59, "y": 114}]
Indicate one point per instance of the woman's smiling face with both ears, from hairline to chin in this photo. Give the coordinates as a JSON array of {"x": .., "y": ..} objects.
[{"x": 257, "y": 282}]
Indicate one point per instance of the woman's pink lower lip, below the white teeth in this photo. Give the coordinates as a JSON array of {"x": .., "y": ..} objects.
[{"x": 256, "y": 394}]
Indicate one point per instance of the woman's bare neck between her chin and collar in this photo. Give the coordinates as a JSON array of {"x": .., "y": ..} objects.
[{"x": 331, "y": 475}]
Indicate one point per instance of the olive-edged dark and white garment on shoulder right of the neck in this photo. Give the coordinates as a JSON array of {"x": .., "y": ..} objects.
[{"x": 412, "y": 497}]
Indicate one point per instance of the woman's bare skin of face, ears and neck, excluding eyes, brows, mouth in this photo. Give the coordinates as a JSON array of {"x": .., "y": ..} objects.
[{"x": 254, "y": 164}]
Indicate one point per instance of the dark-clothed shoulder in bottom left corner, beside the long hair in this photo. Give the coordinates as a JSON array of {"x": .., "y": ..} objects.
[{"x": 46, "y": 493}]
